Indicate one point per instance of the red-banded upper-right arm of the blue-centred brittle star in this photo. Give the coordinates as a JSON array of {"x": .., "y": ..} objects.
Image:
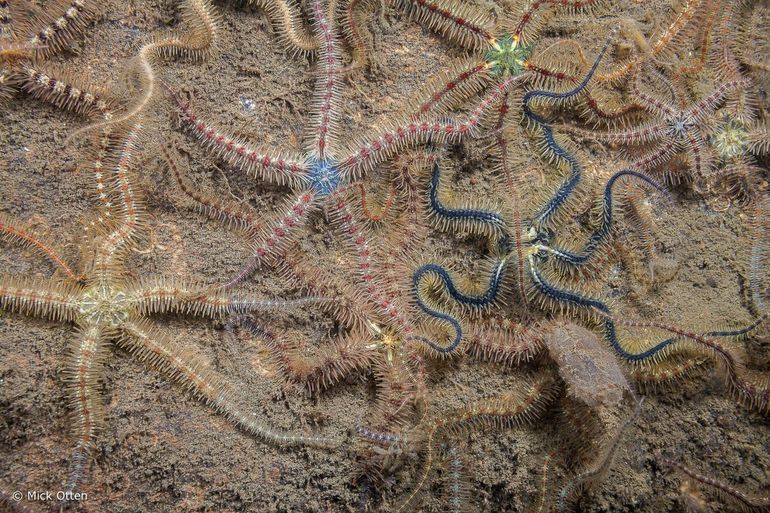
[{"x": 376, "y": 148}]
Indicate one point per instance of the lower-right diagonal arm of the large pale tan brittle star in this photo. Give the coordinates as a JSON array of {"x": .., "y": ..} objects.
[{"x": 158, "y": 350}]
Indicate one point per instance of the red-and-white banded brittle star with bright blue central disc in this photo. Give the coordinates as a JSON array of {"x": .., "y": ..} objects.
[{"x": 327, "y": 167}]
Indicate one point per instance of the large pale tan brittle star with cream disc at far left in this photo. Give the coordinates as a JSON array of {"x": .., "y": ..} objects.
[{"x": 105, "y": 304}]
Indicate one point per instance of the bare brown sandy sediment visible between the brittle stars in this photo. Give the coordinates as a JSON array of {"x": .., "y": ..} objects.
[{"x": 162, "y": 450}]
